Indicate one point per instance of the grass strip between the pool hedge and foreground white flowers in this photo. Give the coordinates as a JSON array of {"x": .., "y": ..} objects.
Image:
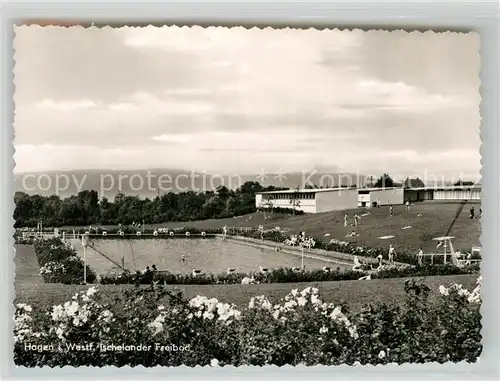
[{"x": 357, "y": 293}]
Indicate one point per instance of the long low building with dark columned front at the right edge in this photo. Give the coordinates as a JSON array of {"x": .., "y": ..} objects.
[{"x": 449, "y": 193}]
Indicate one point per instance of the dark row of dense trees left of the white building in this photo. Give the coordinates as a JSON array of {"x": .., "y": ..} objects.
[{"x": 86, "y": 208}]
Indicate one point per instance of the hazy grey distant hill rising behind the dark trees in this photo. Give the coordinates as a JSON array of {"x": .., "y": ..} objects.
[{"x": 150, "y": 183}]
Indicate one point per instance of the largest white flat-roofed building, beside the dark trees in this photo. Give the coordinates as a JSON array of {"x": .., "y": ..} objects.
[{"x": 309, "y": 200}]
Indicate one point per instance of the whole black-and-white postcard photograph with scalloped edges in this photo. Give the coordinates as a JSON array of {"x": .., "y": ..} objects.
[{"x": 230, "y": 196}]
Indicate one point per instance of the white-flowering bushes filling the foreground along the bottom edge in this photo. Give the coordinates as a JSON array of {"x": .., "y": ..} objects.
[{"x": 137, "y": 329}]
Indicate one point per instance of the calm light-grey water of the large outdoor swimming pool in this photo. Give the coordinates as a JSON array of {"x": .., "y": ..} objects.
[{"x": 208, "y": 255}]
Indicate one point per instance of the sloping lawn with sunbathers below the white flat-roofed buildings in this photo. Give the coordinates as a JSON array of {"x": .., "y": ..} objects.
[{"x": 428, "y": 220}]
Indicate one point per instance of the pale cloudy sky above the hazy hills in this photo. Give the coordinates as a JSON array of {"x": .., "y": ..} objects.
[{"x": 236, "y": 100}]
